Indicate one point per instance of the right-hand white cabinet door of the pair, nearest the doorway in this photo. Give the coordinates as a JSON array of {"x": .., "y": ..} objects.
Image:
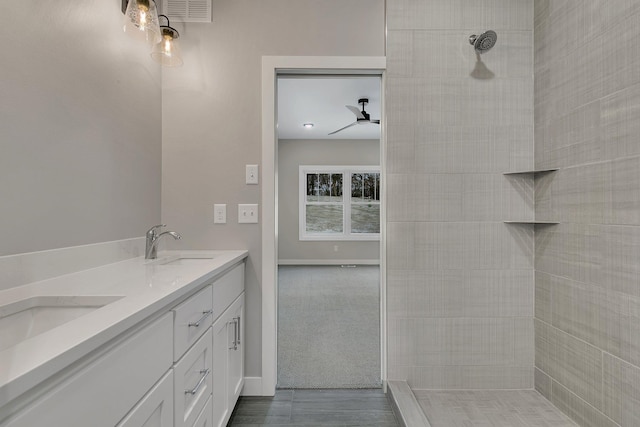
[{"x": 236, "y": 351}]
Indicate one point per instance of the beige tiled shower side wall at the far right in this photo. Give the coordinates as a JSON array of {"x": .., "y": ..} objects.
[{"x": 587, "y": 124}]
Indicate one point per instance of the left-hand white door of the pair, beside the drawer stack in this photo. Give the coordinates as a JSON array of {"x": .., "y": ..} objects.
[{"x": 220, "y": 350}]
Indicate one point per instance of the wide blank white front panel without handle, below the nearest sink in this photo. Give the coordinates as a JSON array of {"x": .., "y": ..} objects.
[{"x": 102, "y": 393}]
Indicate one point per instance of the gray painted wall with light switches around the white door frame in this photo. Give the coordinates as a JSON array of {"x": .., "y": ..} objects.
[{"x": 212, "y": 116}]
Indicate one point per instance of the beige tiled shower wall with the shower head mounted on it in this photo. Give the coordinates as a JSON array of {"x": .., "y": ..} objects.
[{"x": 460, "y": 280}]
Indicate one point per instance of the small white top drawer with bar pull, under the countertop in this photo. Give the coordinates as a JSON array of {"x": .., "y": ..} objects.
[{"x": 191, "y": 320}]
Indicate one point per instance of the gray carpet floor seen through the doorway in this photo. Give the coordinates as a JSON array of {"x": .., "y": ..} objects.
[{"x": 328, "y": 327}]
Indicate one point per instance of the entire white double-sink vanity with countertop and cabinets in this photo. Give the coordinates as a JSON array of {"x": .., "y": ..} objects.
[{"x": 135, "y": 343}]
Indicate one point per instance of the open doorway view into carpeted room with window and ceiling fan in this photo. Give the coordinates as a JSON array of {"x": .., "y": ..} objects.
[{"x": 328, "y": 194}]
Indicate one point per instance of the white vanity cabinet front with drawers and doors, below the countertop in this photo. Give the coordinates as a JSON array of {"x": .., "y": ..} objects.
[{"x": 177, "y": 368}]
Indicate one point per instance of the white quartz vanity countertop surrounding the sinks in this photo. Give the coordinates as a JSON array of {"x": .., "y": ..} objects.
[{"x": 145, "y": 287}]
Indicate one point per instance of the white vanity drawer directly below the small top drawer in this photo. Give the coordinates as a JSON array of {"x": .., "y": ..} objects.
[{"x": 192, "y": 378}]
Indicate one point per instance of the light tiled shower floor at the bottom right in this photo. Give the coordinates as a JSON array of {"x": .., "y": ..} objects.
[{"x": 490, "y": 408}]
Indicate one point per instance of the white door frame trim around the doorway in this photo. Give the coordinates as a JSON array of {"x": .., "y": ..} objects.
[{"x": 271, "y": 67}]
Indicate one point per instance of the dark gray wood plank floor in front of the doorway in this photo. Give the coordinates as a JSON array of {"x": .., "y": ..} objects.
[{"x": 315, "y": 408}]
